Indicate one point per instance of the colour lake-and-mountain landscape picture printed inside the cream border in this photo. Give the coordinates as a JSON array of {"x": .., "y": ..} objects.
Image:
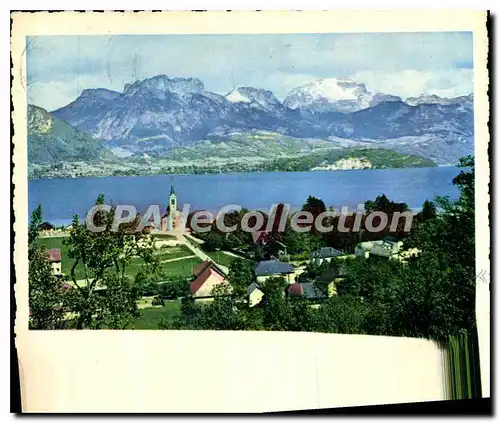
[{"x": 257, "y": 182}]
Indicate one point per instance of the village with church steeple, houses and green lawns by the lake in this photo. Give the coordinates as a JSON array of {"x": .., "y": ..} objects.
[{"x": 201, "y": 270}]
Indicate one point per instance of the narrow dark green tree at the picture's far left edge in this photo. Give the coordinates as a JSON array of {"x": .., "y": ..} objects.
[{"x": 46, "y": 294}]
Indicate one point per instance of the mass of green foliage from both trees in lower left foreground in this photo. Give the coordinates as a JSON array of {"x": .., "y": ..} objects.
[{"x": 106, "y": 296}]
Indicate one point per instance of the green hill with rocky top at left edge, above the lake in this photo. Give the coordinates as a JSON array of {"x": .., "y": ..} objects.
[{"x": 52, "y": 140}]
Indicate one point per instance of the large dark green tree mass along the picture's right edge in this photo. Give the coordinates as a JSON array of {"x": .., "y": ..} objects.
[{"x": 439, "y": 284}]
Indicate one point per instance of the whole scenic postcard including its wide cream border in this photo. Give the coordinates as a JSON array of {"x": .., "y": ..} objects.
[{"x": 250, "y": 211}]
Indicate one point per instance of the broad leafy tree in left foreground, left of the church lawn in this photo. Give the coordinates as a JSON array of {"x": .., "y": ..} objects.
[{"x": 107, "y": 295}]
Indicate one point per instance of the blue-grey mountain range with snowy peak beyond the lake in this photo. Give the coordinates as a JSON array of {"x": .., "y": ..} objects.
[{"x": 160, "y": 116}]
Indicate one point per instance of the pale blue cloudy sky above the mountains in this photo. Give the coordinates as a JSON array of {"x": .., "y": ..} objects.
[{"x": 59, "y": 68}]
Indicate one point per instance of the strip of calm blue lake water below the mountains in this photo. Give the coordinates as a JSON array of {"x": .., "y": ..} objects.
[{"x": 63, "y": 198}]
